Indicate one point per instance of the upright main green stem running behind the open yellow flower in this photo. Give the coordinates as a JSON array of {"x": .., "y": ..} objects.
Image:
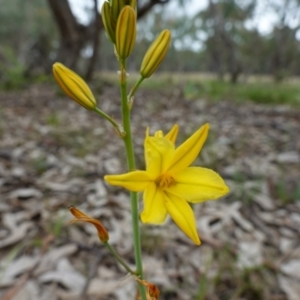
[{"x": 131, "y": 166}]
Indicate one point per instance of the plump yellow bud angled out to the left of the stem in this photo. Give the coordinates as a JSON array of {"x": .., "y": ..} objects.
[{"x": 74, "y": 86}]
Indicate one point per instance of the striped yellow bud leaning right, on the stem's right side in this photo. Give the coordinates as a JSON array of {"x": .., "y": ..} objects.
[{"x": 155, "y": 54}]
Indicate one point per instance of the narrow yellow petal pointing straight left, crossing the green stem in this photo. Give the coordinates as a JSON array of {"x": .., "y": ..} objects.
[{"x": 135, "y": 181}]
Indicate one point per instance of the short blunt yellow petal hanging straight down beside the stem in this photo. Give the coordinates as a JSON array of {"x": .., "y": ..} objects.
[{"x": 154, "y": 207}]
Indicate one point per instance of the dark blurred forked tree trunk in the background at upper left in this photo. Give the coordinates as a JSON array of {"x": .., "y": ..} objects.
[{"x": 75, "y": 36}]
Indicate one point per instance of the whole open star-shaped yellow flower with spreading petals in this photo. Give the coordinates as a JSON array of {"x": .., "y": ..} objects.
[{"x": 169, "y": 182}]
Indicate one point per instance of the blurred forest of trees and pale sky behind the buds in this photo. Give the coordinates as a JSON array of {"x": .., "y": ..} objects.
[{"x": 224, "y": 38}]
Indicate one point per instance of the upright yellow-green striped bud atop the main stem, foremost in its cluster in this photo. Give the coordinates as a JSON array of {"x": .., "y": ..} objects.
[{"x": 126, "y": 32}]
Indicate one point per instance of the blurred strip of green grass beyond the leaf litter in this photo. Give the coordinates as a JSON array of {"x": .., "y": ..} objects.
[{"x": 258, "y": 89}]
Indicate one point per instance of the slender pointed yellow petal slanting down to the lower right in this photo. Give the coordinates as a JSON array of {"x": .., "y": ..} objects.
[{"x": 183, "y": 216}]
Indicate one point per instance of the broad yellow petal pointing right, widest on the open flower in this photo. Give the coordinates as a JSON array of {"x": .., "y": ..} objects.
[{"x": 196, "y": 184}]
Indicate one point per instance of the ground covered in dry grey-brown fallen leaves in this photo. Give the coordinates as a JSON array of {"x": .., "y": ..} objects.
[{"x": 54, "y": 153}]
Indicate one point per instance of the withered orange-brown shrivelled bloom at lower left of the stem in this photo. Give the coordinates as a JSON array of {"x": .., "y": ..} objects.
[{"x": 79, "y": 216}]
